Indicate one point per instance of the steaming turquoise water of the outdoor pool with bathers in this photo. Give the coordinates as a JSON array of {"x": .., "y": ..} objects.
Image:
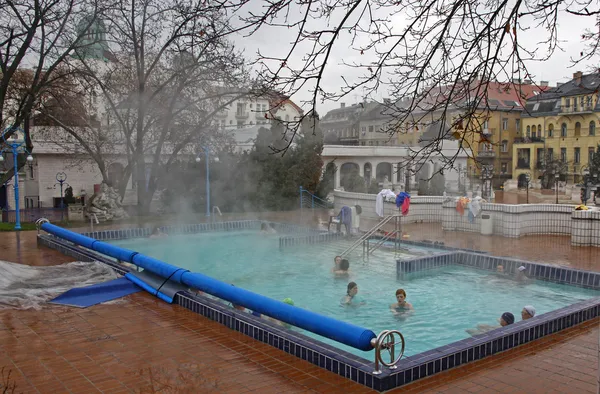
[{"x": 446, "y": 301}]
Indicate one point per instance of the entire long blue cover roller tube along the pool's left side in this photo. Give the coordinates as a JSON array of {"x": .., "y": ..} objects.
[{"x": 346, "y": 333}]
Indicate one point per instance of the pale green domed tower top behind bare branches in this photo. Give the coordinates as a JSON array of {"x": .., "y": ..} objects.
[{"x": 92, "y": 40}]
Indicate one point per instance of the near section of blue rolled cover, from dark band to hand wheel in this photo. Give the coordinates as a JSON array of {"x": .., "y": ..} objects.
[{"x": 346, "y": 333}]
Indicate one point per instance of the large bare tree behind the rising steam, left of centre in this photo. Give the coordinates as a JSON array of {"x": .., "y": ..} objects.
[{"x": 172, "y": 67}]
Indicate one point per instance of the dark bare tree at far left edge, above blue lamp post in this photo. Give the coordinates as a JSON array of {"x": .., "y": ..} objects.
[{"x": 36, "y": 36}]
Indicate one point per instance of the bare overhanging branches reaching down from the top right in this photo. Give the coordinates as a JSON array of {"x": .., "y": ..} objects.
[{"x": 440, "y": 55}]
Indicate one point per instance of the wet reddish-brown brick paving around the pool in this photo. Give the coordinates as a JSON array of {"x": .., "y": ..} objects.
[{"x": 144, "y": 345}]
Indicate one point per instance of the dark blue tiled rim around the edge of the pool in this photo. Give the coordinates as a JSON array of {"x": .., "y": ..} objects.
[{"x": 411, "y": 368}]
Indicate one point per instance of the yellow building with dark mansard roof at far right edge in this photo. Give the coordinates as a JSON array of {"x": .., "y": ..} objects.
[{"x": 561, "y": 123}]
